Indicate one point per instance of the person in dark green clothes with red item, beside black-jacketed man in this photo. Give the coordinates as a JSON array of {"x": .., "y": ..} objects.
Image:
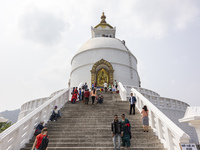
[{"x": 126, "y": 127}]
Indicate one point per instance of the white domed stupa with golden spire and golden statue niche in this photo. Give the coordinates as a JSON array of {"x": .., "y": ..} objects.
[{"x": 103, "y": 58}]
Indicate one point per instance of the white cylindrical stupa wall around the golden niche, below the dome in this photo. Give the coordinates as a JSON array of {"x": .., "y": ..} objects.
[{"x": 82, "y": 65}]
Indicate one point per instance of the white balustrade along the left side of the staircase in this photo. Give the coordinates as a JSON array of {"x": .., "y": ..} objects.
[{"x": 18, "y": 134}]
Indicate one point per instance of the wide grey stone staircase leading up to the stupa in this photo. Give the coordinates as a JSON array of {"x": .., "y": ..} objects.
[{"x": 89, "y": 128}]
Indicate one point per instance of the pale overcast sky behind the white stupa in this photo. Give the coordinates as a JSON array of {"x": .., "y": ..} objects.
[{"x": 38, "y": 38}]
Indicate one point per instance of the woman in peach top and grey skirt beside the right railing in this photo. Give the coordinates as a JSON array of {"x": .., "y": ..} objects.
[{"x": 145, "y": 118}]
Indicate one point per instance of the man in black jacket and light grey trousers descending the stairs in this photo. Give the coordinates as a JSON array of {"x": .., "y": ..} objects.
[{"x": 117, "y": 132}]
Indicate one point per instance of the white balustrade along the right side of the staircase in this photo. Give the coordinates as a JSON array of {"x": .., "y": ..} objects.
[{"x": 168, "y": 133}]
